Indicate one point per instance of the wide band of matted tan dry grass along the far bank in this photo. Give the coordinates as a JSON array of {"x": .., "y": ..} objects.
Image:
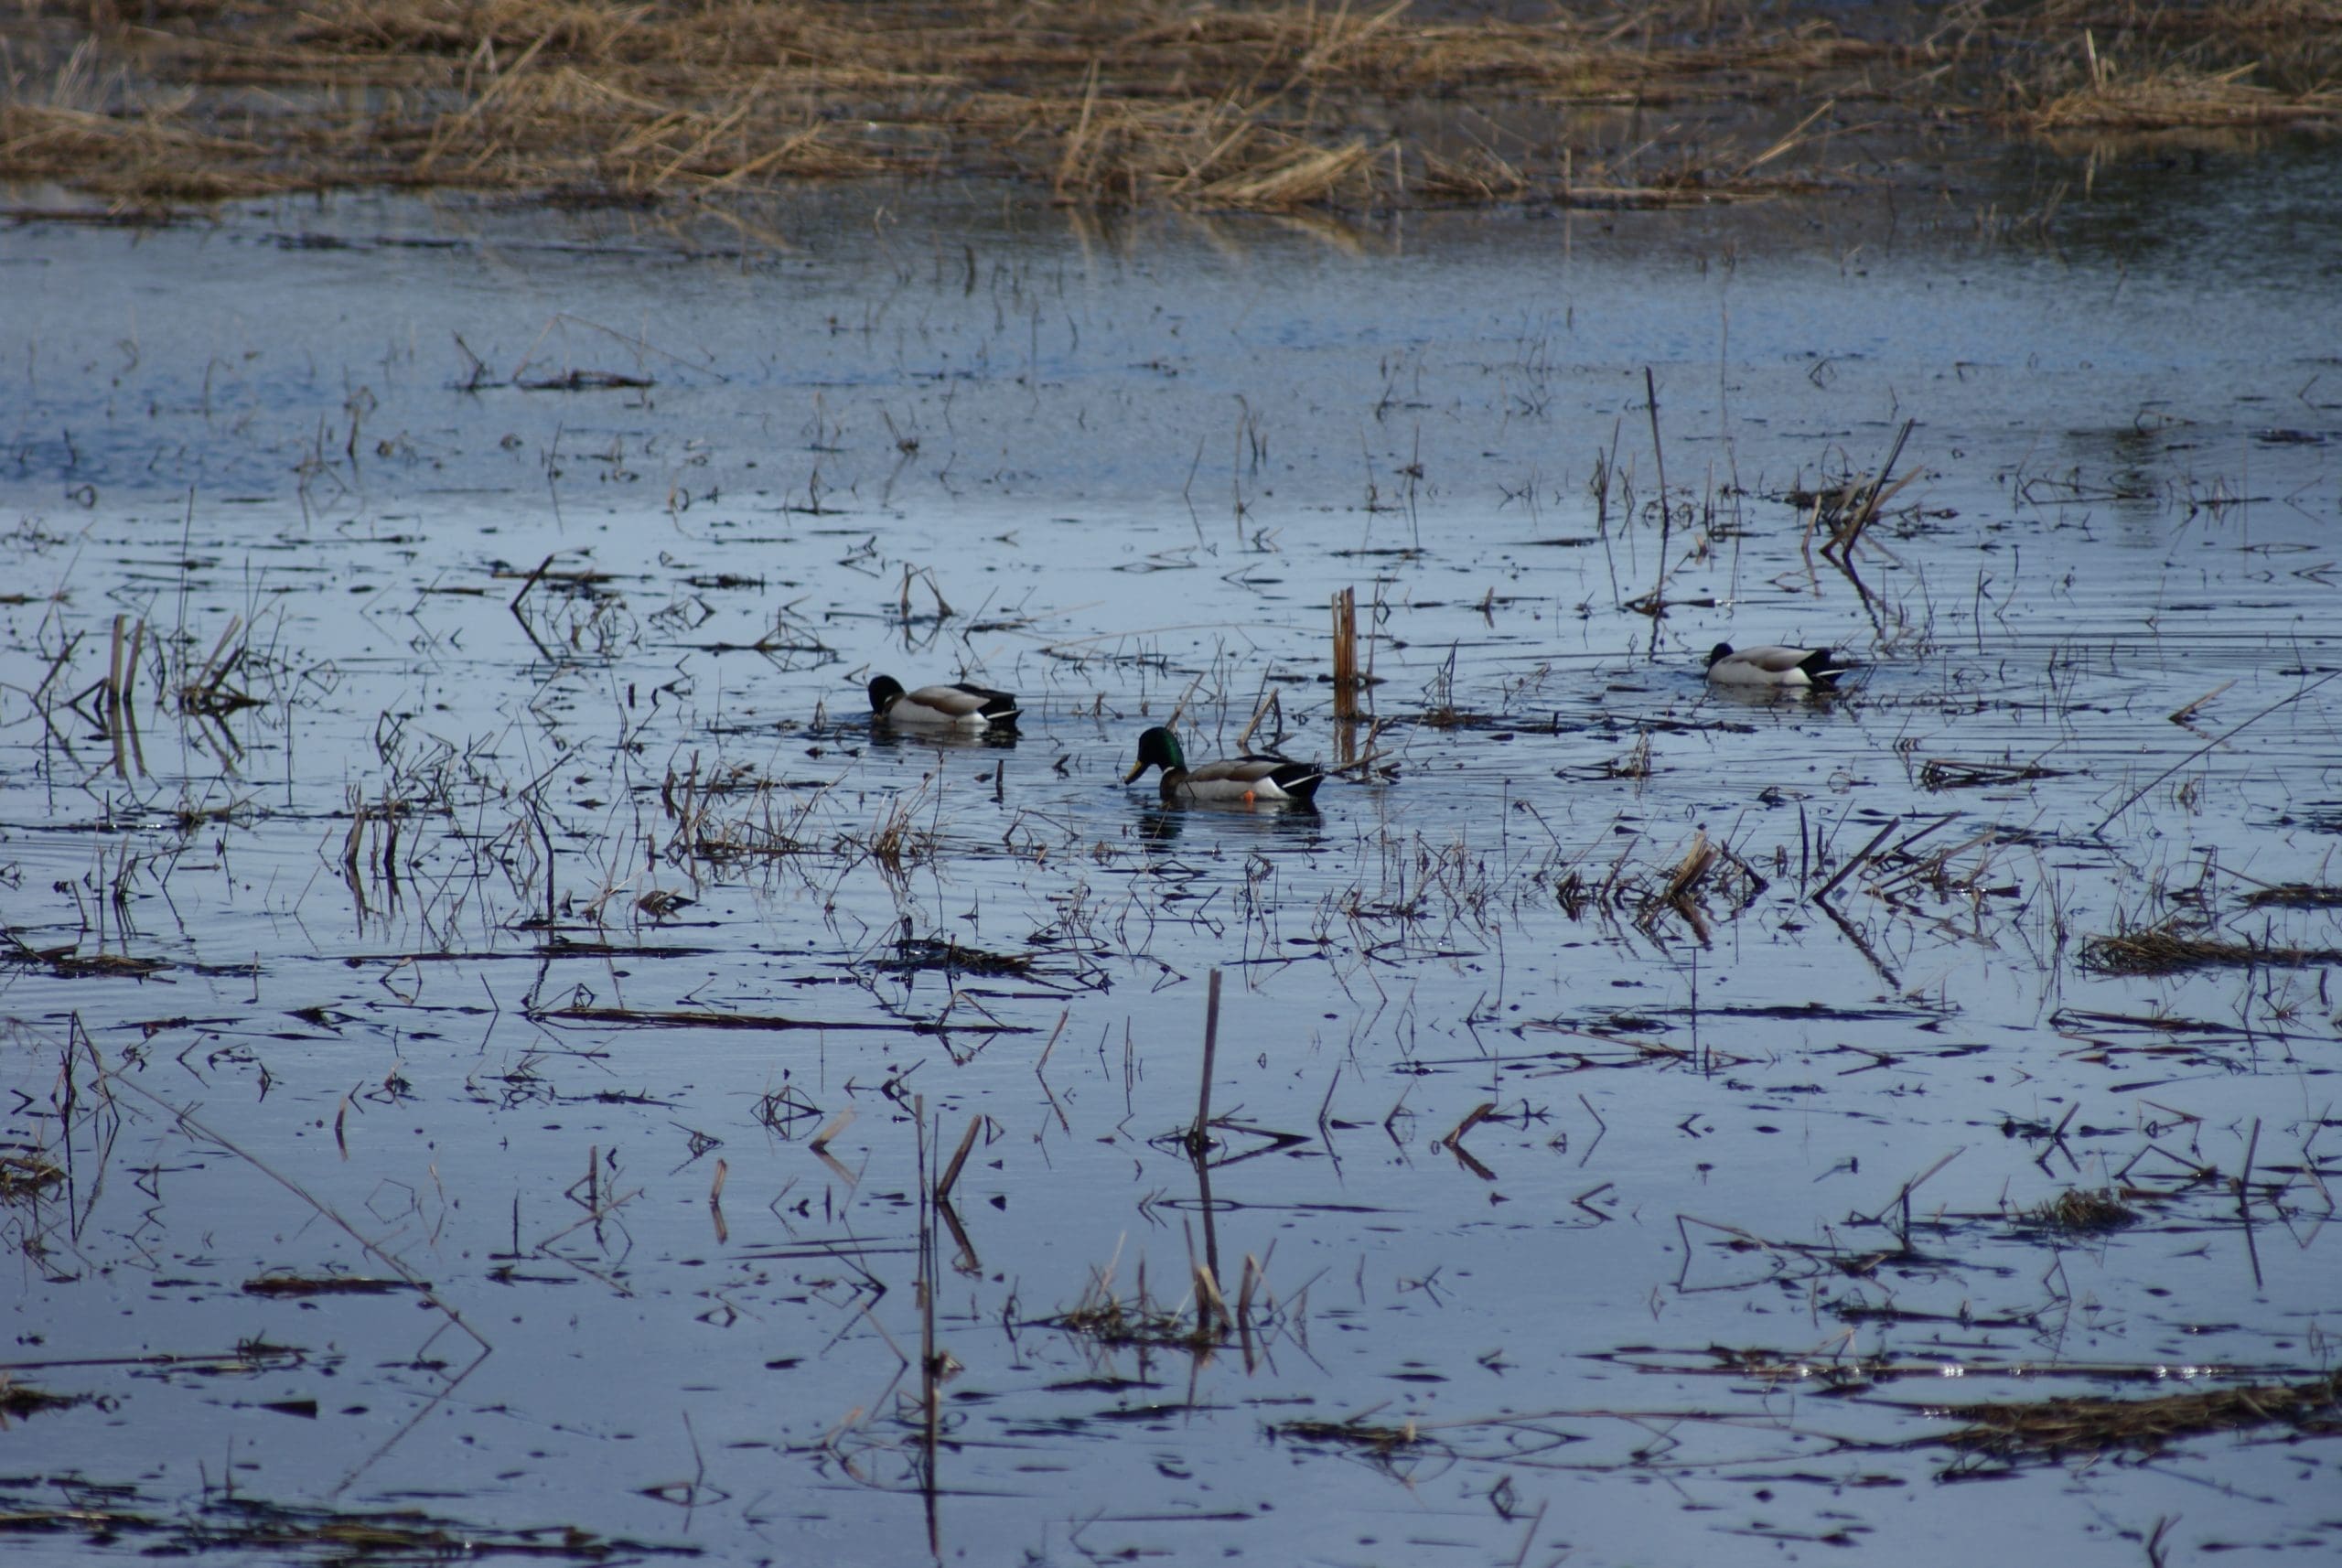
[{"x": 1217, "y": 104}]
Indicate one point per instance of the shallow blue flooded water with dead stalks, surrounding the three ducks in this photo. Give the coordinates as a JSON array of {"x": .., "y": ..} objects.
[{"x": 505, "y": 1052}]
